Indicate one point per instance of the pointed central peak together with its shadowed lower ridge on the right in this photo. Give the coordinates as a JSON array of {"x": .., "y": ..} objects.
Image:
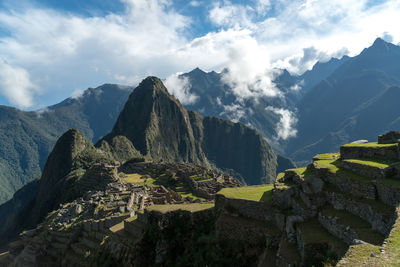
[{"x": 160, "y": 128}]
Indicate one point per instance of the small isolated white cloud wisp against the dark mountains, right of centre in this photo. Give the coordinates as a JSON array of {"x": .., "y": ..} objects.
[{"x": 287, "y": 123}]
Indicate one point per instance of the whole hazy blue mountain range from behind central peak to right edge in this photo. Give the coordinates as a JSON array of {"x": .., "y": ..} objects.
[{"x": 340, "y": 101}]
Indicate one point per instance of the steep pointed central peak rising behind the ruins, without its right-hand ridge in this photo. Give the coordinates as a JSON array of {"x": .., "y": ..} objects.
[{"x": 157, "y": 124}]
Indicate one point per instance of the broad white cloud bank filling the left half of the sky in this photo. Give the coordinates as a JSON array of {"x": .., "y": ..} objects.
[{"x": 63, "y": 51}]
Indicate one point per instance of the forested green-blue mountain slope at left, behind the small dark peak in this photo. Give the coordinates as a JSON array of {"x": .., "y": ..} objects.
[{"x": 26, "y": 138}]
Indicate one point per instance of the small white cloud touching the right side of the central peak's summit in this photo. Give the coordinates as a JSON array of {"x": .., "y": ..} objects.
[{"x": 180, "y": 87}]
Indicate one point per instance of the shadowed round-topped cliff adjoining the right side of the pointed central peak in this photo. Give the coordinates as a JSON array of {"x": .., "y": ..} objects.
[{"x": 235, "y": 146}]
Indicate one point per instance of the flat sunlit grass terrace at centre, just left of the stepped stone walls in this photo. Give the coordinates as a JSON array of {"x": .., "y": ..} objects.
[{"x": 255, "y": 192}]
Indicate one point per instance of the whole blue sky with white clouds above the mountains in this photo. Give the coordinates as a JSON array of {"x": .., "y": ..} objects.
[{"x": 51, "y": 50}]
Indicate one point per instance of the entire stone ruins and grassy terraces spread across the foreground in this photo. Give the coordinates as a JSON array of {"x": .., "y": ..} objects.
[{"x": 342, "y": 210}]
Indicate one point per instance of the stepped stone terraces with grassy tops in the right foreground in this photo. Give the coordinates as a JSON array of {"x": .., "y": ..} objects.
[{"x": 342, "y": 207}]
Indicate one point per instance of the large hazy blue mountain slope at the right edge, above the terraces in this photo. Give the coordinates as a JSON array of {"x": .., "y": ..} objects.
[{"x": 359, "y": 100}]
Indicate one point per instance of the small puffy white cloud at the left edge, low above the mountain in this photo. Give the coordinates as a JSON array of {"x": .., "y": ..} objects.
[{"x": 16, "y": 85}]
